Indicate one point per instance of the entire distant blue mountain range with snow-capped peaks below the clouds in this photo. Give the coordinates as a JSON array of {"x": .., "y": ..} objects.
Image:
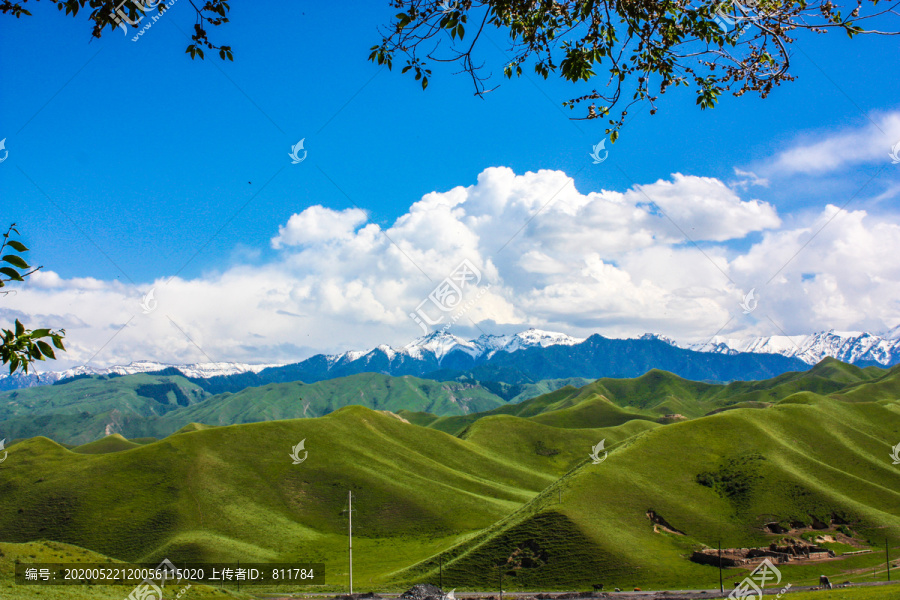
[{"x": 532, "y": 355}]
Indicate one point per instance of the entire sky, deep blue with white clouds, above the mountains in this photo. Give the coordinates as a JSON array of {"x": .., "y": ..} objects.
[{"x": 130, "y": 163}]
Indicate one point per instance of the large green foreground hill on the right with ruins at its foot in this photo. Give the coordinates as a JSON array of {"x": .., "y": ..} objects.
[{"x": 809, "y": 459}]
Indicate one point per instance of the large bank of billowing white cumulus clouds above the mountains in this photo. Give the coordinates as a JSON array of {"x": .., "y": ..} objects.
[{"x": 674, "y": 257}]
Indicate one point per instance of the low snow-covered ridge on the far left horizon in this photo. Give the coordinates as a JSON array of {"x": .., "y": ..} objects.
[{"x": 201, "y": 370}]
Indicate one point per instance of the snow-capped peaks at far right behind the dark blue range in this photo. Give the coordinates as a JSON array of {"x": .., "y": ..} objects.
[{"x": 855, "y": 347}]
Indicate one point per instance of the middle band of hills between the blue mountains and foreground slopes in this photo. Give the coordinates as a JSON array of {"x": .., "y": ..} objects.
[{"x": 148, "y": 405}]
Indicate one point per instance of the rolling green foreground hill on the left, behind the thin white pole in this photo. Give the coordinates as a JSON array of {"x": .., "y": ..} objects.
[{"x": 233, "y": 492}]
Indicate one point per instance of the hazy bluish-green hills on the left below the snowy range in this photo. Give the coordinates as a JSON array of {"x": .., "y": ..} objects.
[{"x": 154, "y": 405}]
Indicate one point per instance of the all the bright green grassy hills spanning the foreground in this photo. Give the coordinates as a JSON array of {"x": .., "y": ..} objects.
[{"x": 513, "y": 494}]
